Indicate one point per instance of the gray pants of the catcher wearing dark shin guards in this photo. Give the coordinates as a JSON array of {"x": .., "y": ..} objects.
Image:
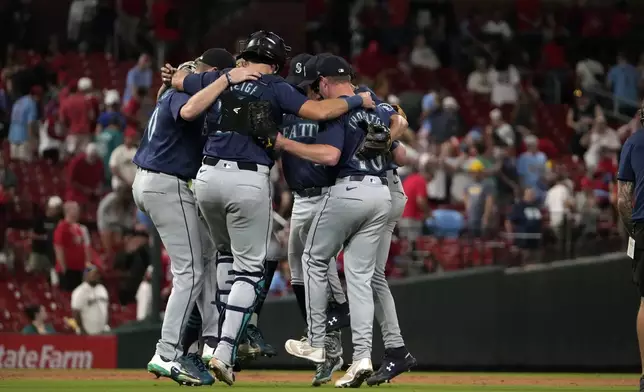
[{"x": 236, "y": 205}]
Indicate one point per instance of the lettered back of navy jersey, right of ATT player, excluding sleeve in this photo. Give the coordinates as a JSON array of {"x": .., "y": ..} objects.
[{"x": 349, "y": 164}]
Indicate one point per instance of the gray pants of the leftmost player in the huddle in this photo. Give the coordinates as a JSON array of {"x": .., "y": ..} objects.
[{"x": 170, "y": 204}]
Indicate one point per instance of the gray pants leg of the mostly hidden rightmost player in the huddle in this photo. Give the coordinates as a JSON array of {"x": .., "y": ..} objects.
[{"x": 385, "y": 307}]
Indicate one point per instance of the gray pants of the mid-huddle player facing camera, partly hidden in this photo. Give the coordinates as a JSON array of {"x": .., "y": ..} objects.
[{"x": 302, "y": 216}]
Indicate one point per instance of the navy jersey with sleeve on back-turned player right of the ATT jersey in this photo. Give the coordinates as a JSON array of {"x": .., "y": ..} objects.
[{"x": 345, "y": 134}]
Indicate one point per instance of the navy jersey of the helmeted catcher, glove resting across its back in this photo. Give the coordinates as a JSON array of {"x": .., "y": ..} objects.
[{"x": 234, "y": 146}]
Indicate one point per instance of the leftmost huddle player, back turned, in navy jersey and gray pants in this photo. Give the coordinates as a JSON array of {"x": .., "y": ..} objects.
[{"x": 167, "y": 161}]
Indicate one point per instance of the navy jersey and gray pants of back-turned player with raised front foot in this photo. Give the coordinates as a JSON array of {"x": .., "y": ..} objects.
[{"x": 353, "y": 214}]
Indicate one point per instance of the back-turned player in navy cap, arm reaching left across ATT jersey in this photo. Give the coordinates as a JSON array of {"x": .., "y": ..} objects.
[{"x": 354, "y": 213}]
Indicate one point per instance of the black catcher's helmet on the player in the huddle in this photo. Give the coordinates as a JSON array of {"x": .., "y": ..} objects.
[{"x": 266, "y": 47}]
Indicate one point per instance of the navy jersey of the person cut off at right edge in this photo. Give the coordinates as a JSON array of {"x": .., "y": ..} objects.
[{"x": 631, "y": 169}]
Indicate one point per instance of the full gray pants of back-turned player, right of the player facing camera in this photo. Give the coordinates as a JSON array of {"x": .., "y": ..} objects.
[{"x": 353, "y": 213}]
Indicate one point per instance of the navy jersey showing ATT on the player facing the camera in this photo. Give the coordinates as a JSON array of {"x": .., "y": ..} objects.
[{"x": 301, "y": 173}]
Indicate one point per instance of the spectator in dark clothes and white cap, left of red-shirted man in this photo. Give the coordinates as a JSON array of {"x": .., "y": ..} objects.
[{"x": 42, "y": 254}]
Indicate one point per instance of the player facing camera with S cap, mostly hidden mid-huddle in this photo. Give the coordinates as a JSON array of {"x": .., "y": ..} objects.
[{"x": 310, "y": 182}]
